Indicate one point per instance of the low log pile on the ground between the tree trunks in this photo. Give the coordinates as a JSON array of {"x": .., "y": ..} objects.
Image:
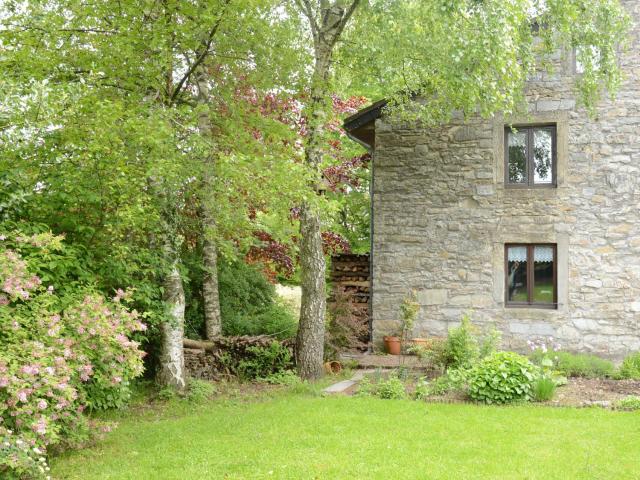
[{"x": 213, "y": 360}]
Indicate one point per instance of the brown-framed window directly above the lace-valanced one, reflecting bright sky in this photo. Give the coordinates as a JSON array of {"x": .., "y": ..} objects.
[{"x": 530, "y": 156}]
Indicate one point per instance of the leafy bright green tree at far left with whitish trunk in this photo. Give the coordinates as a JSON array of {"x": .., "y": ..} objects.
[{"x": 99, "y": 120}]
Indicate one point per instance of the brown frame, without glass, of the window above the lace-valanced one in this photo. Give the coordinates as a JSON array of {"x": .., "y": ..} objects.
[{"x": 530, "y": 161}]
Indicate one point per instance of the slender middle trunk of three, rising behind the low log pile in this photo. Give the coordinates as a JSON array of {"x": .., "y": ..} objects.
[{"x": 212, "y": 317}]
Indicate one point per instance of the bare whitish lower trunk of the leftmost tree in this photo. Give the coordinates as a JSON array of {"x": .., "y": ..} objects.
[{"x": 171, "y": 373}]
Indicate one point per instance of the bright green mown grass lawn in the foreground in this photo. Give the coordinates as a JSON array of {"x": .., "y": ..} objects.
[{"x": 297, "y": 436}]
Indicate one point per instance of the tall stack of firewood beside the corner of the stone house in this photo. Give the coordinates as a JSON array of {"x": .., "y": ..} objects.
[{"x": 350, "y": 274}]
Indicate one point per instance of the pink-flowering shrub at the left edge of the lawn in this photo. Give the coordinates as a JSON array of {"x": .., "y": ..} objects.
[{"x": 61, "y": 354}]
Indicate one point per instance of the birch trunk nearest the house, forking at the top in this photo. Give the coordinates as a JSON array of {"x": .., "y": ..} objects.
[{"x": 327, "y": 21}]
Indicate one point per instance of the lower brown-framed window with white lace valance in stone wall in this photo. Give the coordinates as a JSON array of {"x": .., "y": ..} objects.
[{"x": 531, "y": 275}]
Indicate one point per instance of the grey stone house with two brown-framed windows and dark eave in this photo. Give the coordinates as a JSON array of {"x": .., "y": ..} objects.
[{"x": 535, "y": 231}]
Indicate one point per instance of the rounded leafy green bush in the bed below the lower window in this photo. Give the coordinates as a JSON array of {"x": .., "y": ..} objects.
[{"x": 501, "y": 378}]
